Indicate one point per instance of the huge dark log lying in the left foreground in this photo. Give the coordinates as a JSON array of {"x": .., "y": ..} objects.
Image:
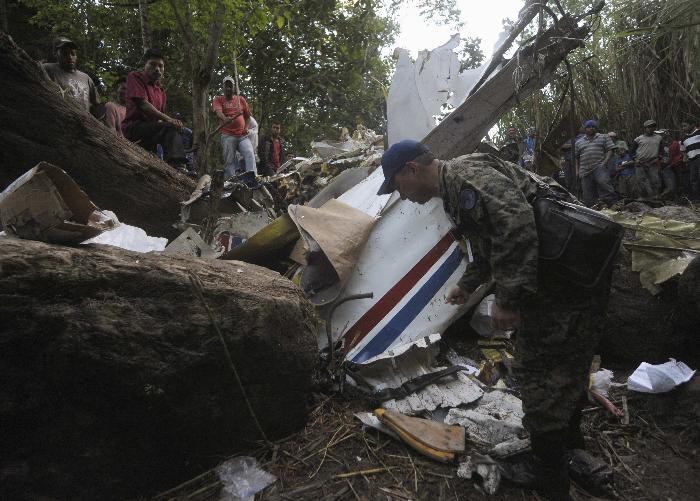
[{"x": 114, "y": 382}]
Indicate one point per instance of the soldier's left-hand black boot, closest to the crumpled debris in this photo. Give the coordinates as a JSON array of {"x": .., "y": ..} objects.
[{"x": 544, "y": 471}]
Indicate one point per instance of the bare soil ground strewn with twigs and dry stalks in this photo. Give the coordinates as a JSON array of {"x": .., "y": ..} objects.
[{"x": 654, "y": 457}]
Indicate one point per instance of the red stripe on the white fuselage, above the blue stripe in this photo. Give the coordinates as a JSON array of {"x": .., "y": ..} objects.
[{"x": 381, "y": 308}]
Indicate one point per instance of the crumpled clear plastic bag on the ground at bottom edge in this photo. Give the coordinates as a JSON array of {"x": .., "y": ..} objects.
[{"x": 242, "y": 478}]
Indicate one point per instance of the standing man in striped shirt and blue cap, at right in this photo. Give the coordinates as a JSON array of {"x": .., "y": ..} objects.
[{"x": 593, "y": 151}]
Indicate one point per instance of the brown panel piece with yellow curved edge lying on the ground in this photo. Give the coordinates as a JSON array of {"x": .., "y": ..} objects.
[{"x": 435, "y": 440}]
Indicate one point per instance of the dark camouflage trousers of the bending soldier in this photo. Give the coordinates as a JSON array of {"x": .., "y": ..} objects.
[{"x": 555, "y": 346}]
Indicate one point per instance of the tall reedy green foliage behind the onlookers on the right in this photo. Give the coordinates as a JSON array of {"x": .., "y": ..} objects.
[{"x": 640, "y": 63}]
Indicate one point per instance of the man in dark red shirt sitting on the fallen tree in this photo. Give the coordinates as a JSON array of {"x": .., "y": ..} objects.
[{"x": 146, "y": 120}]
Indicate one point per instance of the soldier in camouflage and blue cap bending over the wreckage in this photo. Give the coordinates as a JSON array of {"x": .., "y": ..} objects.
[{"x": 488, "y": 200}]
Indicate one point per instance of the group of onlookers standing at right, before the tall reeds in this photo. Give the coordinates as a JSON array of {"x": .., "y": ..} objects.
[{"x": 603, "y": 169}]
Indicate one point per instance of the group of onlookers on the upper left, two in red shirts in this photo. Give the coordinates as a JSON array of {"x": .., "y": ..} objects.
[{"x": 138, "y": 113}]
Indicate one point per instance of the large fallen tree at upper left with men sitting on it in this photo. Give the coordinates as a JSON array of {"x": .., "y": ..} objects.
[{"x": 40, "y": 125}]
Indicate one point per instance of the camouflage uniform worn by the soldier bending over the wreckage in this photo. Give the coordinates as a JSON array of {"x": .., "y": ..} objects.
[{"x": 487, "y": 199}]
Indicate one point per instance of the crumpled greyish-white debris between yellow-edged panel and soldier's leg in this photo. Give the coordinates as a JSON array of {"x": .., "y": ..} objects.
[{"x": 496, "y": 419}]
